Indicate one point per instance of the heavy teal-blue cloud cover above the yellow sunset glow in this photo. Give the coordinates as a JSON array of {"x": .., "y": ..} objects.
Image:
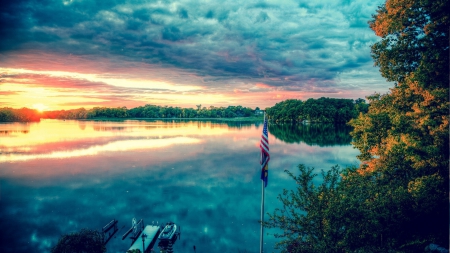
[{"x": 299, "y": 48}]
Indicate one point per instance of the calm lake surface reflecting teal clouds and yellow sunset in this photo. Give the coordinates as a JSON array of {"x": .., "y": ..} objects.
[{"x": 61, "y": 176}]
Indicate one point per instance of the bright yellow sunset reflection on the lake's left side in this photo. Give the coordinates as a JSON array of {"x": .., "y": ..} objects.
[{"x": 61, "y": 139}]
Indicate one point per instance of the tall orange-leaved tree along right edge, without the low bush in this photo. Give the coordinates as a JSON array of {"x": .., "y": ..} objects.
[{"x": 403, "y": 139}]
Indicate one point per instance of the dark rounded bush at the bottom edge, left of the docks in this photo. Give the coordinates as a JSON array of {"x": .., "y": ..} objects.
[{"x": 83, "y": 241}]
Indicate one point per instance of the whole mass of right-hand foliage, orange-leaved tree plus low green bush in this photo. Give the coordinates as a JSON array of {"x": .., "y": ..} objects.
[{"x": 397, "y": 199}]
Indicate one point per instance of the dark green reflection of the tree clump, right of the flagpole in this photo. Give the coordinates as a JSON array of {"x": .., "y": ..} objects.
[{"x": 313, "y": 134}]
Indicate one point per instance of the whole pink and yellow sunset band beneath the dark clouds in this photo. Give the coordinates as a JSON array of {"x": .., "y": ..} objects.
[{"x": 52, "y": 82}]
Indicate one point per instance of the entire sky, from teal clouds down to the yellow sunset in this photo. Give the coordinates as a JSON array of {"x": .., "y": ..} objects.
[{"x": 69, "y": 54}]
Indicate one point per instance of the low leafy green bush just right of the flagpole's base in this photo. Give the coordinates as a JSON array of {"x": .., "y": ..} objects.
[{"x": 312, "y": 217}]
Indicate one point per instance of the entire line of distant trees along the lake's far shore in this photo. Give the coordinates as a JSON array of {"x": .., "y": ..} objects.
[{"x": 324, "y": 110}]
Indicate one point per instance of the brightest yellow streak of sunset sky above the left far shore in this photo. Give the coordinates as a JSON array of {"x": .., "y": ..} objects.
[{"x": 72, "y": 90}]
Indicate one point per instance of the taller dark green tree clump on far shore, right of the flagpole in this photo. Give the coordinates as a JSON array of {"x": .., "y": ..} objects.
[{"x": 325, "y": 110}]
